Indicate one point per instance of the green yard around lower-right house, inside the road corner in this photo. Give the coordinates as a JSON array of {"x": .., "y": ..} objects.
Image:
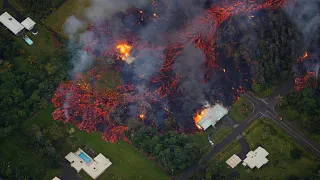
[{"x": 278, "y": 144}]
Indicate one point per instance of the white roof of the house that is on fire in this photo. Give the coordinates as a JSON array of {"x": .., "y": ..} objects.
[{"x": 212, "y": 115}]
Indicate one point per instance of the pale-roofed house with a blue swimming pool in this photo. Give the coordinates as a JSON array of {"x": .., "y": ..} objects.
[{"x": 93, "y": 167}]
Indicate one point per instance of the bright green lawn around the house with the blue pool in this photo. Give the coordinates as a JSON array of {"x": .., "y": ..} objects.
[{"x": 128, "y": 163}]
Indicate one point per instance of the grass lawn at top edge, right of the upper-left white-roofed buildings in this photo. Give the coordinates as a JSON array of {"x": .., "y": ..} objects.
[{"x": 57, "y": 19}]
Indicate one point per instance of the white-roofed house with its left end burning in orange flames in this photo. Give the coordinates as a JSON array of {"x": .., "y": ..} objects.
[{"x": 210, "y": 116}]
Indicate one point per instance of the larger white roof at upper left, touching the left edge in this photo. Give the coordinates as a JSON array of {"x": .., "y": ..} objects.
[{"x": 11, "y": 23}]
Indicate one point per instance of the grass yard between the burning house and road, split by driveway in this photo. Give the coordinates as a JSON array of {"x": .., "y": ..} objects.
[{"x": 201, "y": 138}]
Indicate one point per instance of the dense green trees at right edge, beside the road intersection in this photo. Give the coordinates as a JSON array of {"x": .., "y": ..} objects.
[{"x": 303, "y": 107}]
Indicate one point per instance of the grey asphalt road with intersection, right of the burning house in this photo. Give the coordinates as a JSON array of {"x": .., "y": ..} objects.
[{"x": 262, "y": 108}]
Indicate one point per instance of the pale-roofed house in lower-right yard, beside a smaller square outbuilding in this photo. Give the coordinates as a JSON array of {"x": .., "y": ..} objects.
[{"x": 256, "y": 158}]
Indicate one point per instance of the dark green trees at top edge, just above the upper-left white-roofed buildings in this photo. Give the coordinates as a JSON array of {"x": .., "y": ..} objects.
[{"x": 39, "y": 8}]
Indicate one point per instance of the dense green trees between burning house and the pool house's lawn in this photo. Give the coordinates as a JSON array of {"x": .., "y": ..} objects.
[{"x": 174, "y": 151}]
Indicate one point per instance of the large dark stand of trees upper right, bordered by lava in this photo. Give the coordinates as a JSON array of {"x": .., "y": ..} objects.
[{"x": 268, "y": 42}]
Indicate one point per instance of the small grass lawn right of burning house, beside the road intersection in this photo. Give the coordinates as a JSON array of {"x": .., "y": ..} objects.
[{"x": 241, "y": 109}]
